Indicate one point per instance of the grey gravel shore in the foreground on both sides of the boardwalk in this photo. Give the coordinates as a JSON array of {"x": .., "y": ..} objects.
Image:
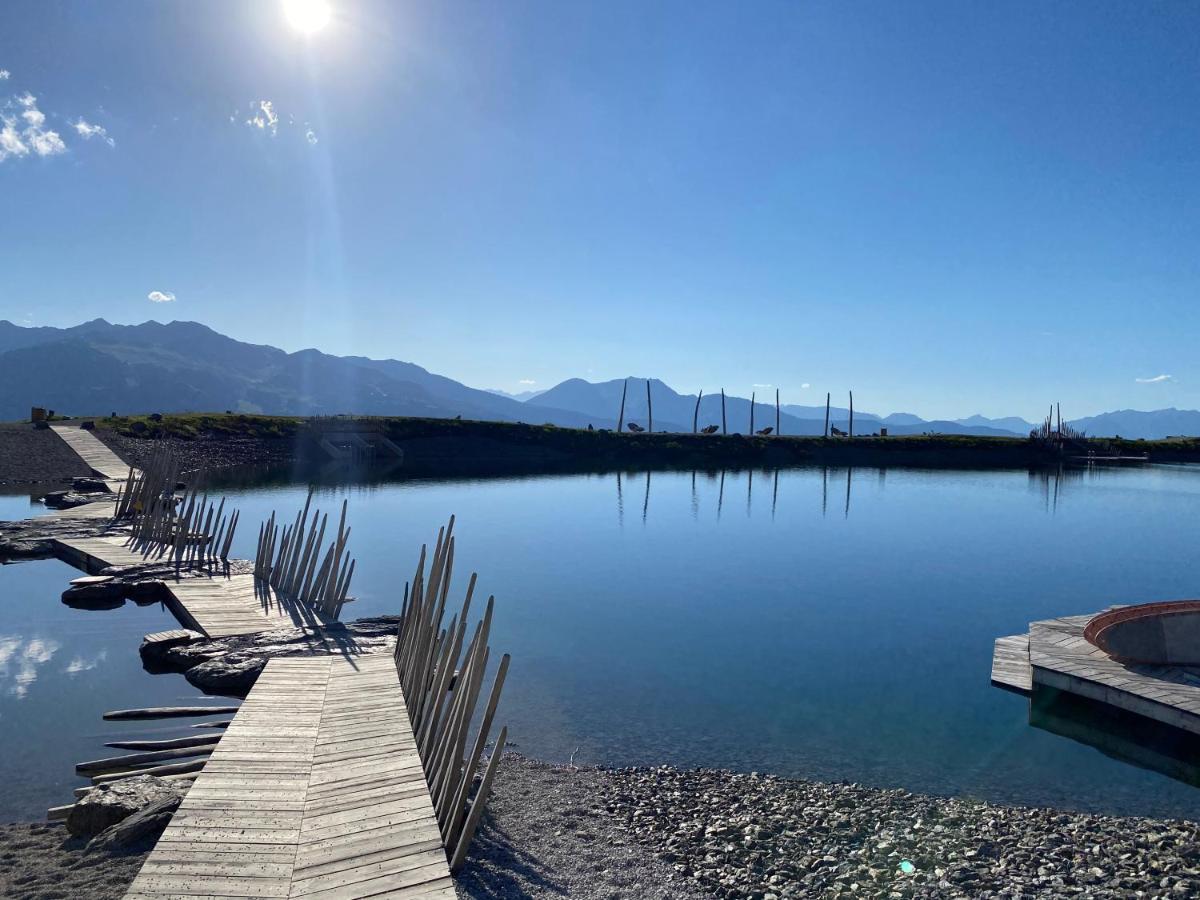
[{"x": 664, "y": 833}]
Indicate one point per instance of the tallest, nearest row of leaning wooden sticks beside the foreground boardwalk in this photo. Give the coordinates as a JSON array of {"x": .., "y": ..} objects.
[{"x": 442, "y": 686}]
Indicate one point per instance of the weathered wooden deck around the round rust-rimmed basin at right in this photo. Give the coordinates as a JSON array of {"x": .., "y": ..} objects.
[{"x": 1058, "y": 656}]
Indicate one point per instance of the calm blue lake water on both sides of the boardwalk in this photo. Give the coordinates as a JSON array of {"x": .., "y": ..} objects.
[{"x": 832, "y": 625}]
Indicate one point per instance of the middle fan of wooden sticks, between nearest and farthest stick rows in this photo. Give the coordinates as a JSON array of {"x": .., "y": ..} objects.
[{"x": 287, "y": 561}]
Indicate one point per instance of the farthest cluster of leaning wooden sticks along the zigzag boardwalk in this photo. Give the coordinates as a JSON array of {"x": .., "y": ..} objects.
[{"x": 193, "y": 530}]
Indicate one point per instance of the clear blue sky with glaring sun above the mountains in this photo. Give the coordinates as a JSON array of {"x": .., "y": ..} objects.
[{"x": 949, "y": 208}]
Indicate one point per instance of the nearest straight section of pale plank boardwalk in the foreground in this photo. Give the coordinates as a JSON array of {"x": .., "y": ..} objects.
[{"x": 315, "y": 791}]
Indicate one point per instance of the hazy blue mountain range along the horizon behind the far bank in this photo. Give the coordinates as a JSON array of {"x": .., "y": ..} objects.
[{"x": 99, "y": 368}]
